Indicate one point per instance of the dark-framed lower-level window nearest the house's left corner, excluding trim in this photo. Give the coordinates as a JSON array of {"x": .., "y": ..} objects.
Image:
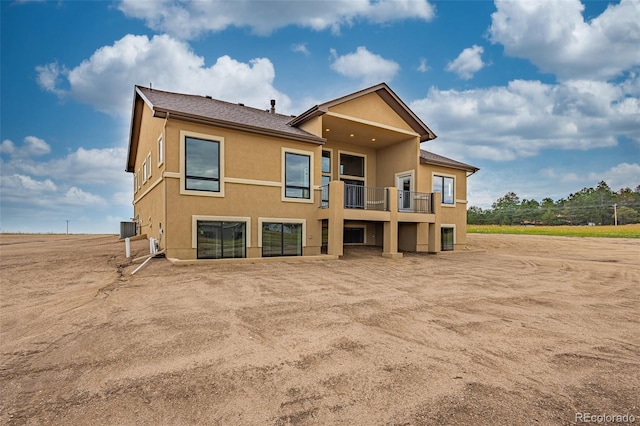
[{"x": 221, "y": 240}]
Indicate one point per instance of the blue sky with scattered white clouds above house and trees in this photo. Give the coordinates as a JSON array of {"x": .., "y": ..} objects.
[{"x": 543, "y": 96}]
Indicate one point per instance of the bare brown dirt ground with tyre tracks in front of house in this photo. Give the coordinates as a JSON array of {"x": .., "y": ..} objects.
[{"x": 514, "y": 330}]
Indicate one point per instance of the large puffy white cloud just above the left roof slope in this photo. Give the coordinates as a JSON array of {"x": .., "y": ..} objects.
[{"x": 106, "y": 79}]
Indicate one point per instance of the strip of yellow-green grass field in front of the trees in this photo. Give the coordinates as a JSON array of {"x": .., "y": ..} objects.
[{"x": 623, "y": 231}]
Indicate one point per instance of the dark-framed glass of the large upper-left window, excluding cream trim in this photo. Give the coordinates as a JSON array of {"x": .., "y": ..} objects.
[{"x": 202, "y": 164}]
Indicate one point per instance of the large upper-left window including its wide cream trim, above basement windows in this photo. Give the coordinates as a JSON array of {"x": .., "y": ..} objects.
[{"x": 201, "y": 164}]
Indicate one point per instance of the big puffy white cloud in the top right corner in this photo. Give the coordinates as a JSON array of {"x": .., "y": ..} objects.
[{"x": 554, "y": 36}]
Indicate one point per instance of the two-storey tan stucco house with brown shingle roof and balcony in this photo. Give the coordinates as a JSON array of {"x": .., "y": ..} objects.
[{"x": 214, "y": 179}]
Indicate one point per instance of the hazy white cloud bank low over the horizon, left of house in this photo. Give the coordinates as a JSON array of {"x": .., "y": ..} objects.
[{"x": 38, "y": 196}]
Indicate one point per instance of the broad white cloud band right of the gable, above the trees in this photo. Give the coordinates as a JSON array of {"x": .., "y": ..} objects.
[{"x": 525, "y": 117}]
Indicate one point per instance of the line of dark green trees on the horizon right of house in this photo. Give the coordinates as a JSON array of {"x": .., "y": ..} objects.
[{"x": 598, "y": 206}]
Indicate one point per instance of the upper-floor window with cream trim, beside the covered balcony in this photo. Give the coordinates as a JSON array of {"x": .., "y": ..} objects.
[{"x": 297, "y": 175}]
